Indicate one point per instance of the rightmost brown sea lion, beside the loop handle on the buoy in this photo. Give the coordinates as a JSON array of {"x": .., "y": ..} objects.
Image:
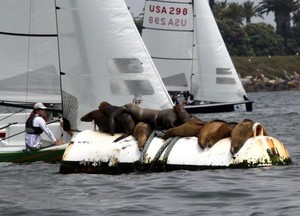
[{"x": 241, "y": 133}]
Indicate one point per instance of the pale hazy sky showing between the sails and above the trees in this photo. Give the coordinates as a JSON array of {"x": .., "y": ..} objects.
[{"x": 136, "y": 7}]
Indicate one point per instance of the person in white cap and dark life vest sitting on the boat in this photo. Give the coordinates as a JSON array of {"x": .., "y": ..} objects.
[{"x": 35, "y": 126}]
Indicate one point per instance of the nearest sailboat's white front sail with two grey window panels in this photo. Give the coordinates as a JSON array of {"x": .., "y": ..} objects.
[{"x": 103, "y": 57}]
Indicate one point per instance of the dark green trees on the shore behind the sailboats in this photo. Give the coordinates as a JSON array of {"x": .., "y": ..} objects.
[{"x": 244, "y": 38}]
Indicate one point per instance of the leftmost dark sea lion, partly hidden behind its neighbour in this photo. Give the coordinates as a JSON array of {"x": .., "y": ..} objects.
[{"x": 100, "y": 120}]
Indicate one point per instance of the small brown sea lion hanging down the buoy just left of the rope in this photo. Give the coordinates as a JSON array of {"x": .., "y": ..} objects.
[{"x": 141, "y": 133}]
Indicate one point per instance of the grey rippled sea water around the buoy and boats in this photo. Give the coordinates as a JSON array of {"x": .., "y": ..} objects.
[{"x": 38, "y": 189}]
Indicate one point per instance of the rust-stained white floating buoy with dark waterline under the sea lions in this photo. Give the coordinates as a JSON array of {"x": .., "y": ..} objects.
[{"x": 95, "y": 152}]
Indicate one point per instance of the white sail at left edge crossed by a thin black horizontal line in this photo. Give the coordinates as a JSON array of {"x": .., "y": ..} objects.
[{"x": 29, "y": 69}]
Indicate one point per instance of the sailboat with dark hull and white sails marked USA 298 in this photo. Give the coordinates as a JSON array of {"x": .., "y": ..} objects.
[{"x": 188, "y": 50}]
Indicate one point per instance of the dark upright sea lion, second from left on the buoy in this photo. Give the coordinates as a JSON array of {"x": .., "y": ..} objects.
[{"x": 116, "y": 116}]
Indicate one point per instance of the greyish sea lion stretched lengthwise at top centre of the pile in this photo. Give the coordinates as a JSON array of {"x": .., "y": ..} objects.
[{"x": 158, "y": 119}]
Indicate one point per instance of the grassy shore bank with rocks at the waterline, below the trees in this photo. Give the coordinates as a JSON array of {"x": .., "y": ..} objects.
[{"x": 269, "y": 73}]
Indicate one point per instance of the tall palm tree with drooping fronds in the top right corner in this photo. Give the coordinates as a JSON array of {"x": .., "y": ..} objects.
[{"x": 282, "y": 10}]
